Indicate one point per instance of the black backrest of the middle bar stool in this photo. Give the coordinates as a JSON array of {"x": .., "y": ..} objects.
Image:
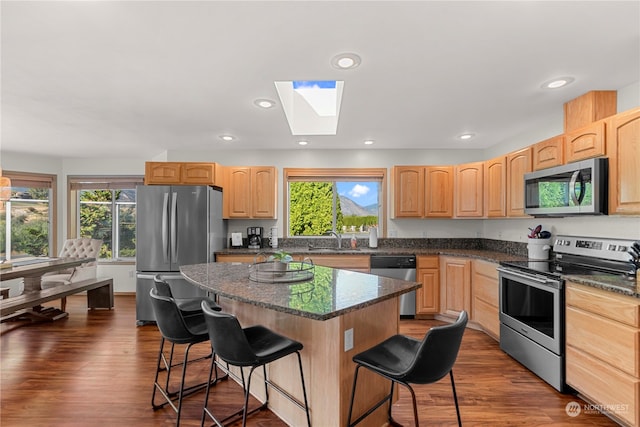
[{"x": 228, "y": 340}]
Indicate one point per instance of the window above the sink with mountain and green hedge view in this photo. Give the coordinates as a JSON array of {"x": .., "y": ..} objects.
[{"x": 347, "y": 201}]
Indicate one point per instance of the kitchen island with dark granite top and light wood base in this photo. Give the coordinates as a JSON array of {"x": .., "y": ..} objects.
[{"x": 335, "y": 314}]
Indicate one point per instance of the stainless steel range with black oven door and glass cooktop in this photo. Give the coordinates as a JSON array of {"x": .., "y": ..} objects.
[{"x": 532, "y": 299}]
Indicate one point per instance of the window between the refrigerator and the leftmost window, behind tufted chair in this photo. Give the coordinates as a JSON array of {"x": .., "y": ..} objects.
[{"x": 105, "y": 208}]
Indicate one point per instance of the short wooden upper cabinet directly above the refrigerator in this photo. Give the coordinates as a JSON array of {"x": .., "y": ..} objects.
[{"x": 182, "y": 173}]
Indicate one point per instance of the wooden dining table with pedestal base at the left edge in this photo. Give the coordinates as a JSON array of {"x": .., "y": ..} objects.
[{"x": 31, "y": 271}]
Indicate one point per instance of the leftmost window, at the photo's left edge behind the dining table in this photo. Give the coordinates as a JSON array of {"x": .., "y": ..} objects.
[{"x": 28, "y": 217}]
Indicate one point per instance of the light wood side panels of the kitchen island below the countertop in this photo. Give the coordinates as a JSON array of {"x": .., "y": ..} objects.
[{"x": 327, "y": 367}]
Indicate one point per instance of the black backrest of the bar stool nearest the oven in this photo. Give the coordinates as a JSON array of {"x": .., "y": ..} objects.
[{"x": 437, "y": 353}]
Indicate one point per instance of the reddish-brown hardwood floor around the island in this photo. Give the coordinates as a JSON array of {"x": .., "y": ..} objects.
[{"x": 97, "y": 367}]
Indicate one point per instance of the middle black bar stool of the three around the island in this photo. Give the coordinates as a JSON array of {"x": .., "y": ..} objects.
[{"x": 252, "y": 347}]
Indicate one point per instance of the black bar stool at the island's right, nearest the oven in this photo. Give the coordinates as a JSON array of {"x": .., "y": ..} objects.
[{"x": 406, "y": 360}]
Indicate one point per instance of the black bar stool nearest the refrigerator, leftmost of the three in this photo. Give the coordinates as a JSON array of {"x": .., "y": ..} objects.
[{"x": 177, "y": 328}]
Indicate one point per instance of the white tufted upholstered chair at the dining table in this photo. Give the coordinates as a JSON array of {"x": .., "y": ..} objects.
[{"x": 74, "y": 248}]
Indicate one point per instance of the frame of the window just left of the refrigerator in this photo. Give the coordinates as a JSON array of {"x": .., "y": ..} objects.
[{"x": 77, "y": 183}]
